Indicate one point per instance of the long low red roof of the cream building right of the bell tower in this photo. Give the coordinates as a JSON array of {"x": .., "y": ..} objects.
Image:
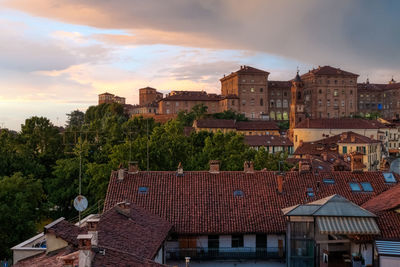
[{"x": 343, "y": 123}]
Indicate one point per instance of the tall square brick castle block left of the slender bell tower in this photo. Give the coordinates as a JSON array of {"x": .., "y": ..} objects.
[{"x": 250, "y": 85}]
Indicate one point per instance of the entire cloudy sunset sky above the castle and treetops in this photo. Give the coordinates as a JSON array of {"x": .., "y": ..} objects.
[{"x": 56, "y": 56}]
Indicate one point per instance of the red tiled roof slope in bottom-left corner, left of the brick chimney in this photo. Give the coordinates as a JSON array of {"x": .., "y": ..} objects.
[{"x": 49, "y": 259}]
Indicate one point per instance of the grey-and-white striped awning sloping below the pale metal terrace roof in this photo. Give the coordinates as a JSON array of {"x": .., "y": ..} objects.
[{"x": 347, "y": 225}]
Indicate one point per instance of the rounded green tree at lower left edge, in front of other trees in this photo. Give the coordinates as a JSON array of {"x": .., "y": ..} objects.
[{"x": 20, "y": 204}]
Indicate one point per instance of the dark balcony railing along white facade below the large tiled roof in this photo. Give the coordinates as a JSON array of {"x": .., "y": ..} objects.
[{"x": 225, "y": 253}]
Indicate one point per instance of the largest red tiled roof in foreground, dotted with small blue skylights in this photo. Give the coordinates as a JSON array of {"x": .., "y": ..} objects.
[{"x": 204, "y": 203}]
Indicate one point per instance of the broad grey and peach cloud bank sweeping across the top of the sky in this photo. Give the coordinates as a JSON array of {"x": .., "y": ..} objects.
[{"x": 352, "y": 34}]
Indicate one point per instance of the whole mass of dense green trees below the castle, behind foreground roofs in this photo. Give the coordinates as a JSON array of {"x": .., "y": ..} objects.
[{"x": 40, "y": 165}]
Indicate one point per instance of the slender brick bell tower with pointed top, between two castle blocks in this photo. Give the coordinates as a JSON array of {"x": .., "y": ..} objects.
[{"x": 297, "y": 113}]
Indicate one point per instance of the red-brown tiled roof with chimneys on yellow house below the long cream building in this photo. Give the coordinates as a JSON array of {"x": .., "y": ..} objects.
[{"x": 329, "y": 144}]
